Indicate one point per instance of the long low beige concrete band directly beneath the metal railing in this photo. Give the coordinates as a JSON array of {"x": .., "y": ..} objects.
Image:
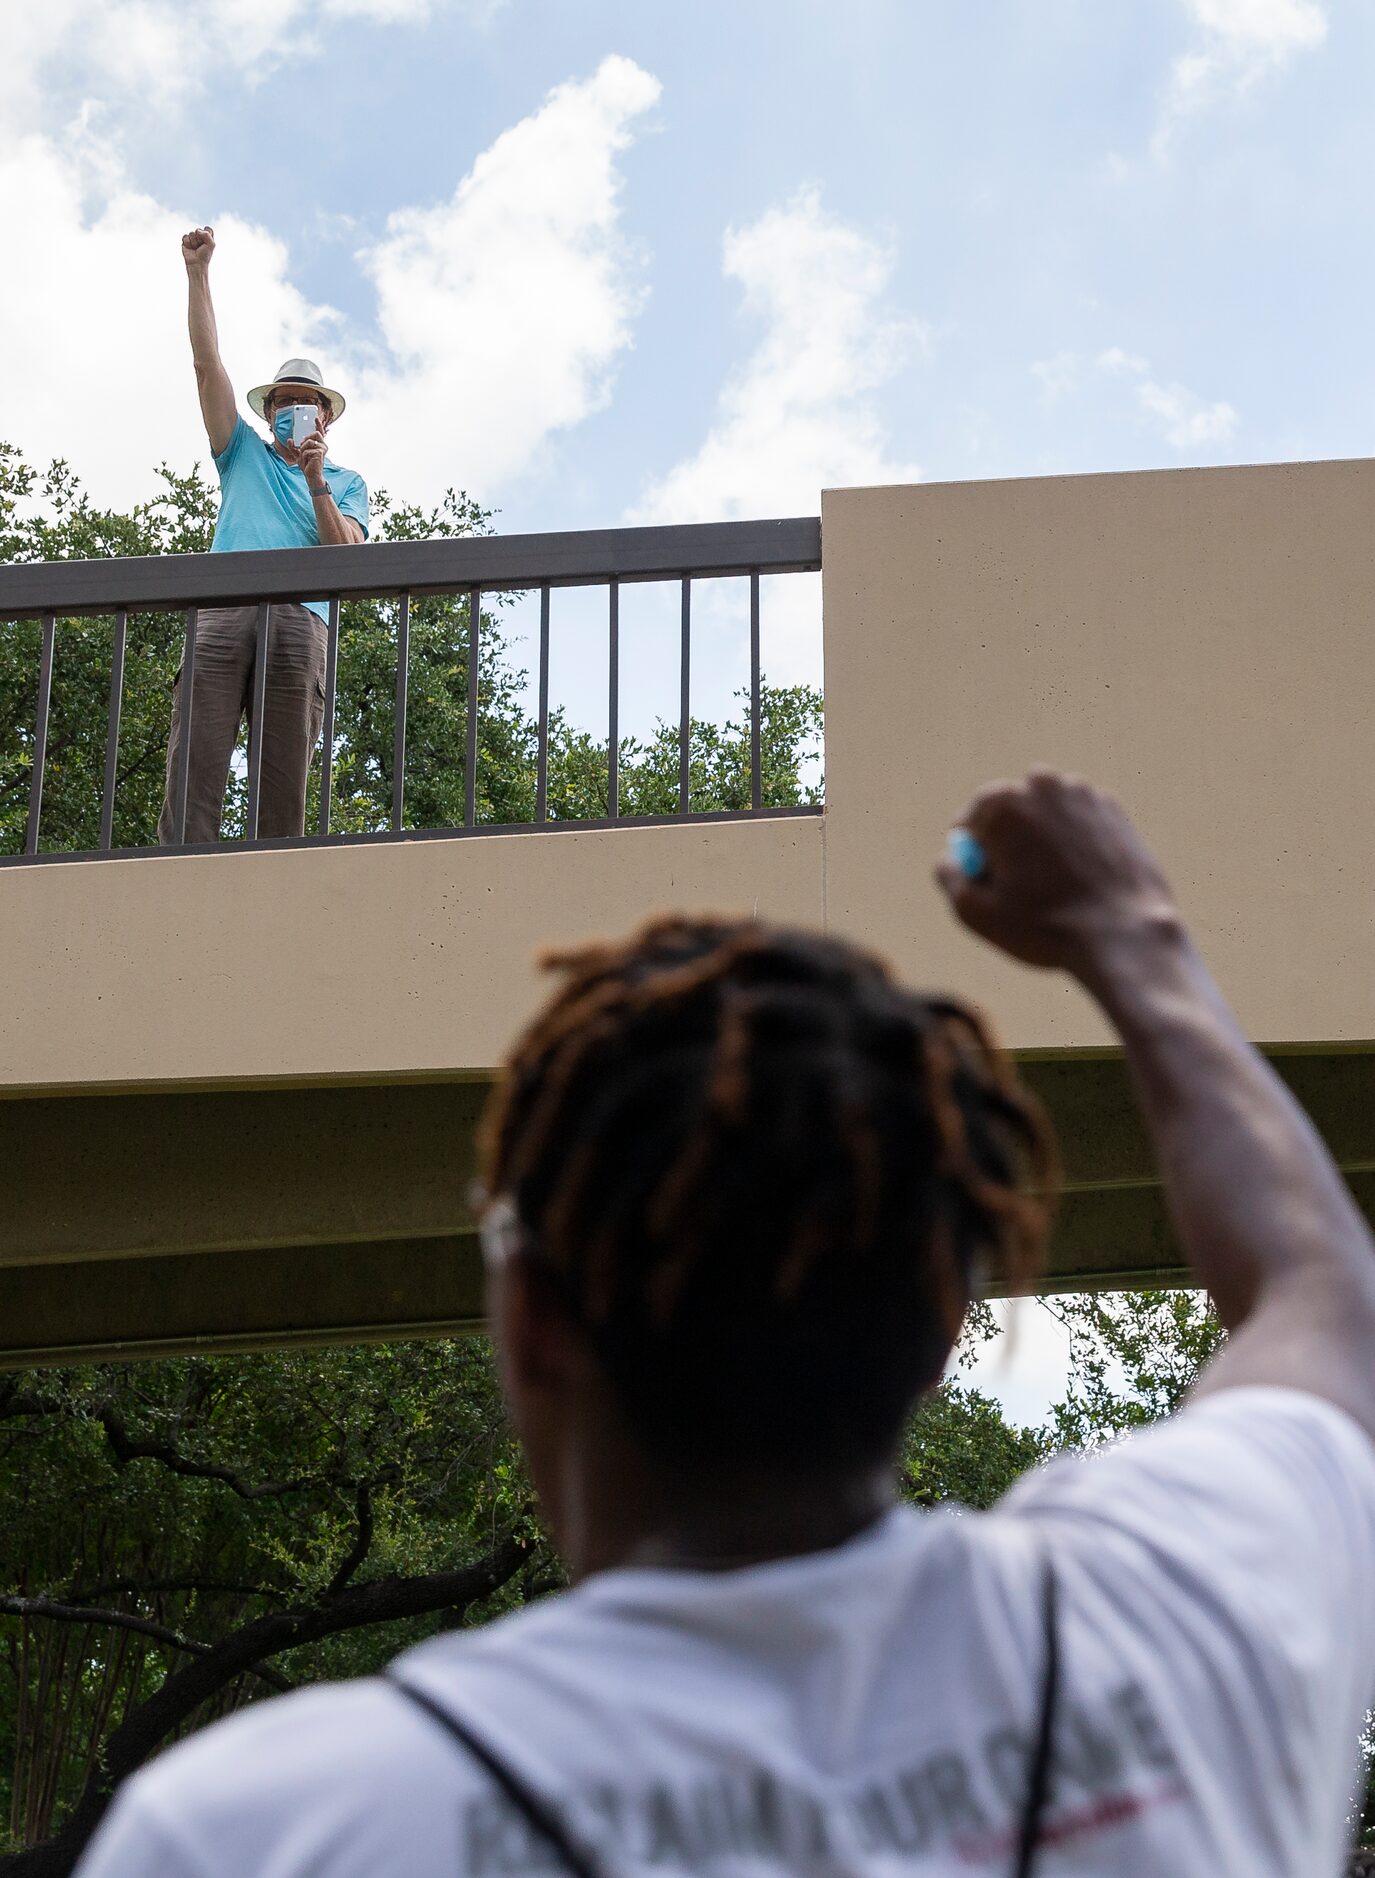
[{"x": 343, "y": 962}]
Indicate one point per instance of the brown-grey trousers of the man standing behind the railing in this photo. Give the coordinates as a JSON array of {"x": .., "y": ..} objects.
[{"x": 226, "y": 643}]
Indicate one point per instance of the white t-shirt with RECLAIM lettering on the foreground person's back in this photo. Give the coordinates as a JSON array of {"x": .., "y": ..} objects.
[{"x": 867, "y": 1710}]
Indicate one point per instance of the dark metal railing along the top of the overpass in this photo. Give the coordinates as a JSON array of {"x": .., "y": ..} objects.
[{"x": 403, "y": 574}]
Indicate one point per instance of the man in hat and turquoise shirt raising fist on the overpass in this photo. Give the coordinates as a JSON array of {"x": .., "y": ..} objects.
[{"x": 275, "y": 493}]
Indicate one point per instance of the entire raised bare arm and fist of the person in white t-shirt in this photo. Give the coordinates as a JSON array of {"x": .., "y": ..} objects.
[{"x": 1258, "y": 1205}]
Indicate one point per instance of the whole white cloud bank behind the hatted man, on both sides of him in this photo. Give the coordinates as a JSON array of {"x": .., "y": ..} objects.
[{"x": 501, "y": 313}]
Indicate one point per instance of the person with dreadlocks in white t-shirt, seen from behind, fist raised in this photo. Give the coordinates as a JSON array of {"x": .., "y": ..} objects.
[{"x": 741, "y": 1190}]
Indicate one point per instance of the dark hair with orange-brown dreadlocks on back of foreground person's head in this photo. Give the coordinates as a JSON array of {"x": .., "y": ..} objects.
[{"x": 762, "y": 1178}]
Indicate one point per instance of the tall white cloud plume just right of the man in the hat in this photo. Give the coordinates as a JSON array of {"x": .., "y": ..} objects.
[{"x": 504, "y": 309}]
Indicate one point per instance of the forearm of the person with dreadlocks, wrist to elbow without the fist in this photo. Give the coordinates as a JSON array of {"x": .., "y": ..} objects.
[{"x": 1256, "y": 1199}]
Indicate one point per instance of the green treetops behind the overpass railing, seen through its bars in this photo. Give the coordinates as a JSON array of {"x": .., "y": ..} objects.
[{"x": 50, "y": 517}]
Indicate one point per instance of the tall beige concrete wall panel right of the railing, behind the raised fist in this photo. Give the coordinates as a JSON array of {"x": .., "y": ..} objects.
[{"x": 1203, "y": 641}]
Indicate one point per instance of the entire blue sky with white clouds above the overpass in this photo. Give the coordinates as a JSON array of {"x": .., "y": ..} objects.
[{"x": 632, "y": 262}]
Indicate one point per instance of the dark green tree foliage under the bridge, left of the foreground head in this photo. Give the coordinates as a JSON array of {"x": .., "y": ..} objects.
[{"x": 189, "y": 1535}]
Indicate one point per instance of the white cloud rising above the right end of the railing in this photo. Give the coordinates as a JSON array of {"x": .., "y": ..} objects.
[{"x": 799, "y": 414}]
